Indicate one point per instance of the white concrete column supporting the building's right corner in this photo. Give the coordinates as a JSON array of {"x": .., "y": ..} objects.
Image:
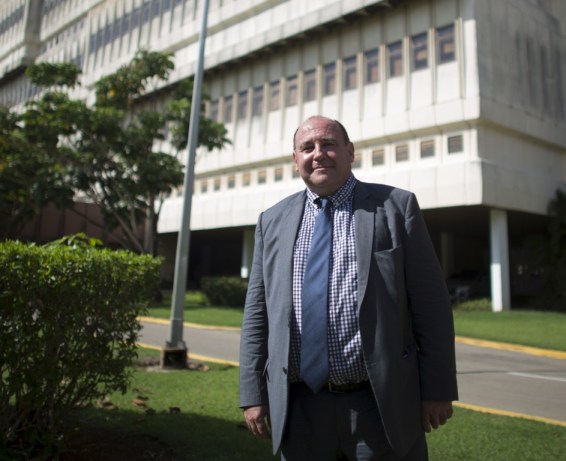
[{"x": 500, "y": 278}]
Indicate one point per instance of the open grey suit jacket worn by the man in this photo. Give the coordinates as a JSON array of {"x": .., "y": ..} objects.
[{"x": 405, "y": 316}]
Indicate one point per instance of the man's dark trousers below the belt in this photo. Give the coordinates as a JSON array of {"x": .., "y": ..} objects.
[{"x": 339, "y": 427}]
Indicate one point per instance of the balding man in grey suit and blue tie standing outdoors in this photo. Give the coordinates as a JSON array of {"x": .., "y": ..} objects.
[{"x": 386, "y": 370}]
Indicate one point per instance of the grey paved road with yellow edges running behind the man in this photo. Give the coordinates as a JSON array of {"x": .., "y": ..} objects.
[{"x": 492, "y": 377}]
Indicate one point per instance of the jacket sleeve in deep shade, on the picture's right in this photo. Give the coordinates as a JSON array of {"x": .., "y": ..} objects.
[{"x": 430, "y": 309}]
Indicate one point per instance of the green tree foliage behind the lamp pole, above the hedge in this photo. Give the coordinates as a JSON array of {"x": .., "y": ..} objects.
[{"x": 106, "y": 151}]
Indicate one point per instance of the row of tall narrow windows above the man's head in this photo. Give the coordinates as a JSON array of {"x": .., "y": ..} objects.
[{"x": 286, "y": 92}]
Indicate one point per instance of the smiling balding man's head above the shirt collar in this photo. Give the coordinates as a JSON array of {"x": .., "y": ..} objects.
[{"x": 322, "y": 156}]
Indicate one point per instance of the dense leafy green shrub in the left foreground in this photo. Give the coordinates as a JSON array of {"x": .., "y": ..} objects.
[{"x": 68, "y": 316}]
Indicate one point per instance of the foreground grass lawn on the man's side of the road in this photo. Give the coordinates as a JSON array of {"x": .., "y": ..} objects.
[{"x": 209, "y": 425}]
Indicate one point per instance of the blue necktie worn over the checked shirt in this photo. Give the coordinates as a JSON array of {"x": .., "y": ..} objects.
[{"x": 314, "y": 299}]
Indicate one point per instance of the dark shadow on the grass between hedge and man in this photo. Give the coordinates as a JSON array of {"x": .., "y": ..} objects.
[{"x": 122, "y": 435}]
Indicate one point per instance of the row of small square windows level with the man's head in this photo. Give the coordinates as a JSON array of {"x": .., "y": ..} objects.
[{"x": 378, "y": 158}]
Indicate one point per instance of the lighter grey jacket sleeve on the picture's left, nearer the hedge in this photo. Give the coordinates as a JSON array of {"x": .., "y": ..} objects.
[{"x": 254, "y": 335}]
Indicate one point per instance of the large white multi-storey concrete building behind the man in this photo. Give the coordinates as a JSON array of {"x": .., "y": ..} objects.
[{"x": 460, "y": 101}]
